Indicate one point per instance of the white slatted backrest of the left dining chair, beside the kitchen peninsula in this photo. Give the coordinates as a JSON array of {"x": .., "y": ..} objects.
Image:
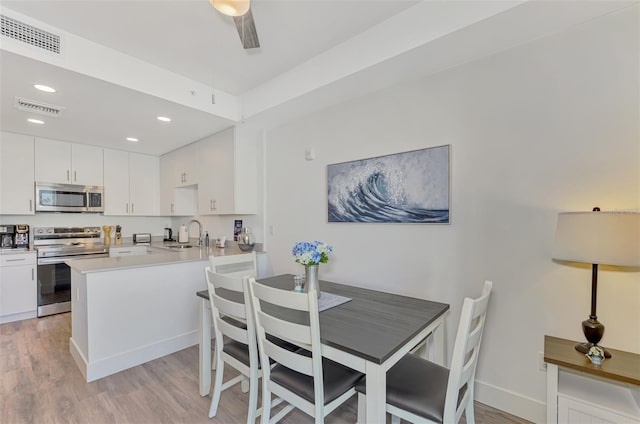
[{"x": 229, "y": 297}]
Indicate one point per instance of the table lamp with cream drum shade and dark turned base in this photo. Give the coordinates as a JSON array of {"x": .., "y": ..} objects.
[{"x": 597, "y": 238}]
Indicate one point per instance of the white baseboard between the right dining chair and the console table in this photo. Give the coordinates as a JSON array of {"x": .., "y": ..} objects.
[{"x": 511, "y": 402}]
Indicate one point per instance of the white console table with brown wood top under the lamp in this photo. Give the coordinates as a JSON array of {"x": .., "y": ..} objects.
[{"x": 580, "y": 392}]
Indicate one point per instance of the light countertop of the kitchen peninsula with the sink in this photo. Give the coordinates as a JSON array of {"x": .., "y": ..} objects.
[{"x": 158, "y": 254}]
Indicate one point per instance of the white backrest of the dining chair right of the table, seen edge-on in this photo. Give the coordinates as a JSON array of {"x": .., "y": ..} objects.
[{"x": 465, "y": 354}]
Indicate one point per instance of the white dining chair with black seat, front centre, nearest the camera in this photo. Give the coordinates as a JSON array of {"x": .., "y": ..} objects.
[{"x": 302, "y": 378}]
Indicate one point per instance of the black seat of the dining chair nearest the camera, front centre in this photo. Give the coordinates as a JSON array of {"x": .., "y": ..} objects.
[{"x": 337, "y": 379}]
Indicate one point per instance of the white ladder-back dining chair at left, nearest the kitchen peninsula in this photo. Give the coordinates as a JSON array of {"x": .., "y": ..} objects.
[{"x": 233, "y": 318}]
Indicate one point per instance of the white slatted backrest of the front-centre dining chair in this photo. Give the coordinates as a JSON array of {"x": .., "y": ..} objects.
[{"x": 292, "y": 317}]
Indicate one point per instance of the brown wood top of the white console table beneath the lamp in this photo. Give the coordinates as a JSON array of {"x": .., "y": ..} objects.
[{"x": 622, "y": 366}]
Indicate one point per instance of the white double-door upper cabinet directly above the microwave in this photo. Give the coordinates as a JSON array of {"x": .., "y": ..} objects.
[{"x": 68, "y": 163}]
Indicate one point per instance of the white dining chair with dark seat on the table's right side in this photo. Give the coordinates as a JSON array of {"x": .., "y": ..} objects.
[{"x": 421, "y": 391}]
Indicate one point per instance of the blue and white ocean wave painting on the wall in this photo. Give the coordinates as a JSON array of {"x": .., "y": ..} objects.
[{"x": 404, "y": 187}]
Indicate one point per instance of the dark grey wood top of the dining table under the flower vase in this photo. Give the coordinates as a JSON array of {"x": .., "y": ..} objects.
[{"x": 373, "y": 325}]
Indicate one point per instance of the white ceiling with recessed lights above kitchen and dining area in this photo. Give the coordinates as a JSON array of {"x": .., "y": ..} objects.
[{"x": 300, "y": 40}]
